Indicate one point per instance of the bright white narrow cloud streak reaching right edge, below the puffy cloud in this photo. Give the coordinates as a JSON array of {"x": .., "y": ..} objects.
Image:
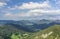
[{"x": 45, "y": 11}]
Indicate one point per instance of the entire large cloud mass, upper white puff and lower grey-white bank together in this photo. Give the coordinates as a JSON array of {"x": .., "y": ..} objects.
[{"x": 36, "y": 11}]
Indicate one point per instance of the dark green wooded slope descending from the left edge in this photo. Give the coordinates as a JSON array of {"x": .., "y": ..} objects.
[{"x": 6, "y": 31}]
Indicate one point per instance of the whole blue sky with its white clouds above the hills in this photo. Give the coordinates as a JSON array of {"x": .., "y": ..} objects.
[{"x": 29, "y": 9}]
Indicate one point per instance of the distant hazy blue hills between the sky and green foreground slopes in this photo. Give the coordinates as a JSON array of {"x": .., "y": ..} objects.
[{"x": 30, "y": 25}]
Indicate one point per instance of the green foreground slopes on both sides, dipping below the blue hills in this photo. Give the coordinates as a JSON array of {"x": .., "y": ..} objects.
[{"x": 11, "y": 32}]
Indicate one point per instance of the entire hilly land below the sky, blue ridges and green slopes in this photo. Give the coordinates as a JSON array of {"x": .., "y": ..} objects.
[{"x": 29, "y": 29}]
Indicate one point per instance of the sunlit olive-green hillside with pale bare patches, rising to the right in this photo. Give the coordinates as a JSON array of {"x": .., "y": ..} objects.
[{"x": 52, "y": 32}]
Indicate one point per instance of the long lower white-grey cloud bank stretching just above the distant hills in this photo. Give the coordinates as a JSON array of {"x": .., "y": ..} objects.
[{"x": 31, "y": 15}]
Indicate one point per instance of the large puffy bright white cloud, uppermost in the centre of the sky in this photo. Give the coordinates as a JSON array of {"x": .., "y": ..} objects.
[{"x": 34, "y": 5}]
